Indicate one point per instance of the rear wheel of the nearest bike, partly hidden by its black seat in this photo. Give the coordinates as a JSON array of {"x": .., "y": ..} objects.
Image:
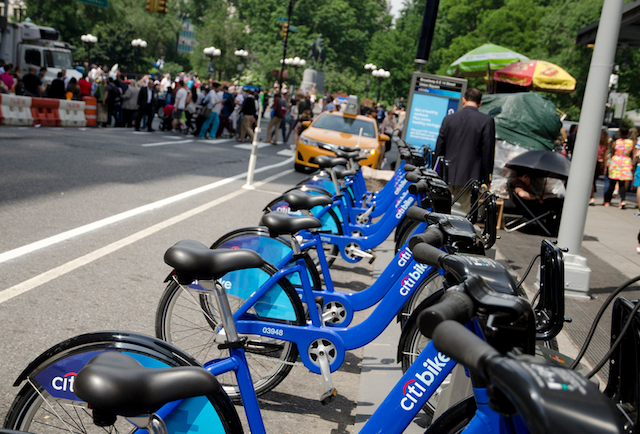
[{"x": 36, "y": 411}]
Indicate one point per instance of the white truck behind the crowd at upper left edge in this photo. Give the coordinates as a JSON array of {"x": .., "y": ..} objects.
[{"x": 27, "y": 44}]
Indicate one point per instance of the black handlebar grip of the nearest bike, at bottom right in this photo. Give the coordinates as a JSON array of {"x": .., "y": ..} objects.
[{"x": 459, "y": 343}]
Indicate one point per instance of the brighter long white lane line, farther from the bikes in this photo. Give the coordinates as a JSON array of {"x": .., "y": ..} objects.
[{"x": 29, "y": 248}]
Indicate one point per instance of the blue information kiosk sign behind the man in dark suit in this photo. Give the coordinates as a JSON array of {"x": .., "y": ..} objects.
[{"x": 432, "y": 97}]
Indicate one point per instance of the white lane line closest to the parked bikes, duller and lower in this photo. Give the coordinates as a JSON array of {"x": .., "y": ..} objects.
[{"x": 70, "y": 266}]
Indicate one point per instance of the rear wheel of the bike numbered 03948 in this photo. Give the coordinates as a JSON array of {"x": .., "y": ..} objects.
[{"x": 191, "y": 322}]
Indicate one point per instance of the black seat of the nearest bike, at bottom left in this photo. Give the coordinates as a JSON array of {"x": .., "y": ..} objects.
[{"x": 115, "y": 383}]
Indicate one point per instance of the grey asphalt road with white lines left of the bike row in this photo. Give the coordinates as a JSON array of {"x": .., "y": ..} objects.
[{"x": 86, "y": 217}]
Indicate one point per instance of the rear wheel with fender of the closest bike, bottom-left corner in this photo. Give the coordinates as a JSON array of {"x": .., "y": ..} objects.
[{"x": 35, "y": 411}]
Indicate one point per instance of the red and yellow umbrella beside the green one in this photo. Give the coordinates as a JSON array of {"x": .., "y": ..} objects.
[{"x": 537, "y": 75}]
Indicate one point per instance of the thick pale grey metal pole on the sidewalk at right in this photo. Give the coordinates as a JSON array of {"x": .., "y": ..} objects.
[{"x": 576, "y": 203}]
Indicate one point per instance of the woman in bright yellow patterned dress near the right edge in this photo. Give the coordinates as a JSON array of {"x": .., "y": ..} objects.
[{"x": 619, "y": 167}]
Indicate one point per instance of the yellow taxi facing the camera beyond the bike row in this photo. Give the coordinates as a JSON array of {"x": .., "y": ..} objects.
[{"x": 332, "y": 129}]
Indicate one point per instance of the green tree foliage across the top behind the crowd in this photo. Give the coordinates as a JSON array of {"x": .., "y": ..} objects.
[{"x": 355, "y": 32}]
